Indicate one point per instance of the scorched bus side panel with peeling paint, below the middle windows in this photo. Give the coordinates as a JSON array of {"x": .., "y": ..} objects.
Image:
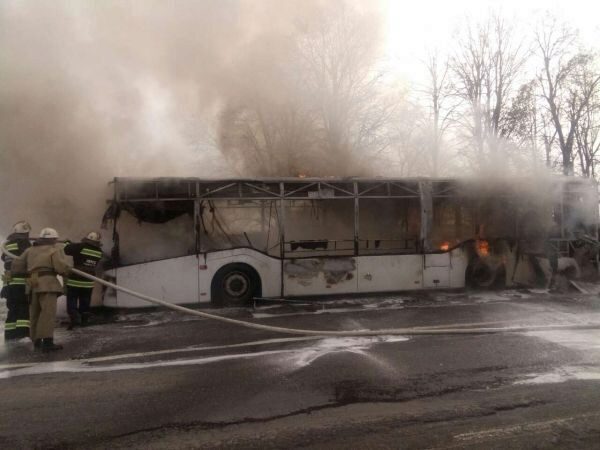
[{"x": 319, "y": 276}]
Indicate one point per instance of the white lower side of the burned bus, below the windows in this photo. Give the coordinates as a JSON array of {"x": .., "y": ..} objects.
[{"x": 187, "y": 279}]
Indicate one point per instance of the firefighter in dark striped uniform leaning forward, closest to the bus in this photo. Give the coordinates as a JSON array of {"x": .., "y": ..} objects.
[{"x": 86, "y": 256}]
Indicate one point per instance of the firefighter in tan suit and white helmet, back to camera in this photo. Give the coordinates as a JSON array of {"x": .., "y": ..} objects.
[{"x": 43, "y": 262}]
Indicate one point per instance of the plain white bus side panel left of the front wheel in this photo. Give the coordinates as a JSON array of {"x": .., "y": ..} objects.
[{"x": 173, "y": 280}]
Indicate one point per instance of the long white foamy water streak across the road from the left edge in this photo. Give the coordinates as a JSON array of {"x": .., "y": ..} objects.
[{"x": 299, "y": 357}]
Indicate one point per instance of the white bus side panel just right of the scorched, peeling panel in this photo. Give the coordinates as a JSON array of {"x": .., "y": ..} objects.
[{"x": 388, "y": 273}]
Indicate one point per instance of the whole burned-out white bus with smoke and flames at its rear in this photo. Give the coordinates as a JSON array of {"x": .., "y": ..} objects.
[{"x": 189, "y": 240}]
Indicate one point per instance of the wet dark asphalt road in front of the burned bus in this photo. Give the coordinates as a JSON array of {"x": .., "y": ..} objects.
[{"x": 156, "y": 379}]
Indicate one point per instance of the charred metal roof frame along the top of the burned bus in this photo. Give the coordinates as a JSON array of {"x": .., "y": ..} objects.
[{"x": 180, "y": 189}]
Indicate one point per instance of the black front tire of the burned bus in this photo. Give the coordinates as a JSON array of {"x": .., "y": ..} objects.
[{"x": 234, "y": 285}]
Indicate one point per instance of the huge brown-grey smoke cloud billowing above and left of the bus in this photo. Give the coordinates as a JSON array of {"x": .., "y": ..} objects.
[{"x": 94, "y": 90}]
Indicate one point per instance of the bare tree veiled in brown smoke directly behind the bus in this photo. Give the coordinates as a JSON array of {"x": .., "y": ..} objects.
[{"x": 324, "y": 110}]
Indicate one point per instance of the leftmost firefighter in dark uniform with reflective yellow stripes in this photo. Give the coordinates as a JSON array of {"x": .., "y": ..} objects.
[{"x": 17, "y": 319}]
